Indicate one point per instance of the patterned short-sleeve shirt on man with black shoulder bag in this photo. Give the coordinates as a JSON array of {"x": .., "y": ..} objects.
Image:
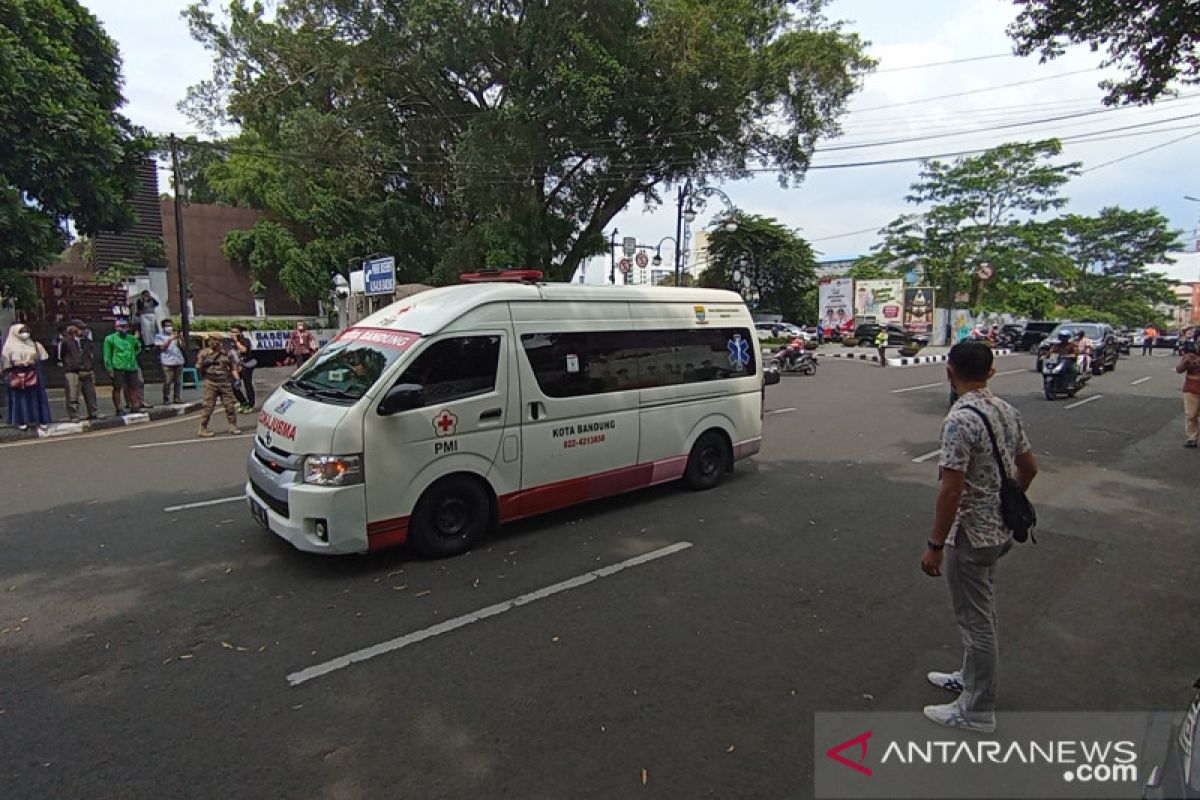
[{"x": 968, "y": 449}]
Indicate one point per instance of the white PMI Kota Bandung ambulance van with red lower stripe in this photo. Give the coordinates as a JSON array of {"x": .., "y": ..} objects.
[{"x": 445, "y": 414}]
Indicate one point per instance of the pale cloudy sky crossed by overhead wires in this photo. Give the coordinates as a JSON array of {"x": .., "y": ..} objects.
[{"x": 841, "y": 209}]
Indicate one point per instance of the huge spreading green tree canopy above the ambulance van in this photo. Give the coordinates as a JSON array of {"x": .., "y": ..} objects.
[{"x": 509, "y": 133}]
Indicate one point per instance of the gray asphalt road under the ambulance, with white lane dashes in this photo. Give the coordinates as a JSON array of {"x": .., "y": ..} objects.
[{"x": 146, "y": 653}]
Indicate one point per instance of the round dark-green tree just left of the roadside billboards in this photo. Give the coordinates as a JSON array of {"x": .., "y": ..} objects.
[{"x": 765, "y": 261}]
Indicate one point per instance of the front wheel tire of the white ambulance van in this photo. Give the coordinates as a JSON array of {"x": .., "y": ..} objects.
[{"x": 451, "y": 518}]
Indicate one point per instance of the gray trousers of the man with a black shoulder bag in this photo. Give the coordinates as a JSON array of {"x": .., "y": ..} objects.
[{"x": 971, "y": 575}]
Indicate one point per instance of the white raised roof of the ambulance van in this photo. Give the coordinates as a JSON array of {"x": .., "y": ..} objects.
[{"x": 429, "y": 312}]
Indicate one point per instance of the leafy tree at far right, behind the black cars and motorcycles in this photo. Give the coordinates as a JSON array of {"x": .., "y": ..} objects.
[{"x": 1111, "y": 254}]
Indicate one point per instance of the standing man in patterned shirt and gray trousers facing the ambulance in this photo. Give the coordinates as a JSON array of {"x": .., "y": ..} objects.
[{"x": 968, "y": 519}]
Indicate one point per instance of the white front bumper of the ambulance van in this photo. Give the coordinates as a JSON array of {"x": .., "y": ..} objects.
[{"x": 292, "y": 510}]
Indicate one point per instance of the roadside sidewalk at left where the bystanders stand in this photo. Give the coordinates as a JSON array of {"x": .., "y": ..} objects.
[{"x": 267, "y": 381}]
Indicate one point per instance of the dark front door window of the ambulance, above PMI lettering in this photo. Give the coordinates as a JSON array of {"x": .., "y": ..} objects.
[{"x": 455, "y": 369}]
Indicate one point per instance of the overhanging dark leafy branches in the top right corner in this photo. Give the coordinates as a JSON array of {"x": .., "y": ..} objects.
[{"x": 1154, "y": 41}]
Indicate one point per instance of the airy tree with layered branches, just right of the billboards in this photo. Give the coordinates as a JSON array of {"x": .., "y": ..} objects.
[{"x": 982, "y": 212}]
